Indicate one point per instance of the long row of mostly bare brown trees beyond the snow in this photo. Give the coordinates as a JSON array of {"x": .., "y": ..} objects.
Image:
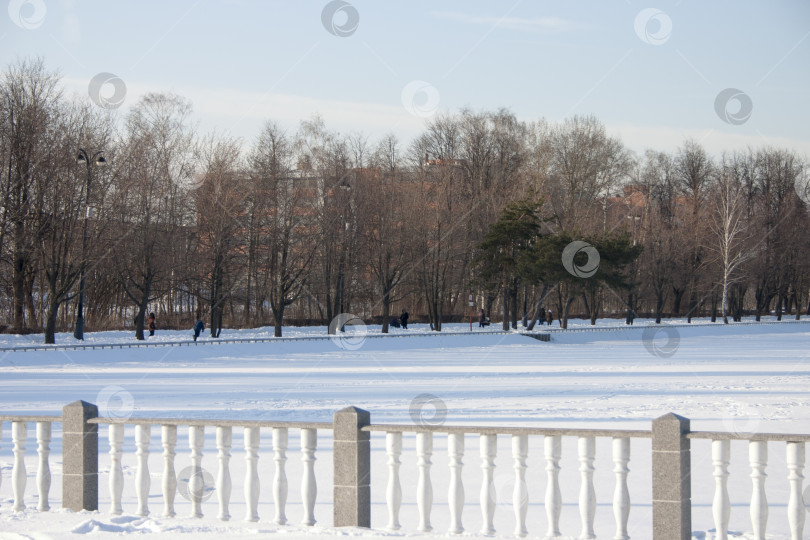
[{"x": 311, "y": 224}]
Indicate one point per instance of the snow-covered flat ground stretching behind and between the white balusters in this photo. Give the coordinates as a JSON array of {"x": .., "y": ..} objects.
[{"x": 733, "y": 378}]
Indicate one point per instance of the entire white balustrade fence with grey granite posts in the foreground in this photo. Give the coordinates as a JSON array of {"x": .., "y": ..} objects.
[{"x": 536, "y": 453}]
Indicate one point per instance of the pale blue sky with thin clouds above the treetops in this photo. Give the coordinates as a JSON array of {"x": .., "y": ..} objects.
[{"x": 650, "y": 72}]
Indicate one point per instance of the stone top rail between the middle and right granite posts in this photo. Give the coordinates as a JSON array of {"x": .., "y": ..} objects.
[{"x": 496, "y": 430}]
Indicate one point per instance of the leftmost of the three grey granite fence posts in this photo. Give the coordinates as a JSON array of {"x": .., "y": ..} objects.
[{"x": 79, "y": 457}]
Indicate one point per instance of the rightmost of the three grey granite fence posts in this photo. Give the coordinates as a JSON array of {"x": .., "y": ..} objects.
[{"x": 671, "y": 478}]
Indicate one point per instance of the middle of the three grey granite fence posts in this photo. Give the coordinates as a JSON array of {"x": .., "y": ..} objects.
[{"x": 352, "y": 464}]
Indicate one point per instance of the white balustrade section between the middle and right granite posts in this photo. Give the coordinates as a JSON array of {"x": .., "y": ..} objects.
[{"x": 546, "y": 443}]
